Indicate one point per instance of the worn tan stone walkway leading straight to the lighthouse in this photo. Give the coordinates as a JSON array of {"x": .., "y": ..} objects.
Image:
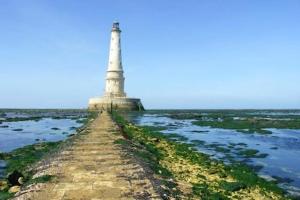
[{"x": 93, "y": 167}]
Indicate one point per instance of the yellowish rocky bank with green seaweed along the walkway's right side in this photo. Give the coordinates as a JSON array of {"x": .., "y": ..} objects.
[{"x": 192, "y": 174}]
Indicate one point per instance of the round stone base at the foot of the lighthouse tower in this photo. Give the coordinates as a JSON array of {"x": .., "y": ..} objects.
[{"x": 118, "y": 103}]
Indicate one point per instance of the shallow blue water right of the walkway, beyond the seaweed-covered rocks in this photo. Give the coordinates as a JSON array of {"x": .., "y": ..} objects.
[{"x": 282, "y": 146}]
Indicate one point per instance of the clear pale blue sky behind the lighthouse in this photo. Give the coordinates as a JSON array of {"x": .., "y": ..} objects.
[{"x": 176, "y": 54}]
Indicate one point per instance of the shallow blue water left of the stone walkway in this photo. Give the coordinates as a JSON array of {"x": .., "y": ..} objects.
[{"x": 17, "y": 134}]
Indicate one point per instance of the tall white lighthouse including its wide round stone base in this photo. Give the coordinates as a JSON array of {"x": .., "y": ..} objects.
[{"x": 114, "y": 95}]
